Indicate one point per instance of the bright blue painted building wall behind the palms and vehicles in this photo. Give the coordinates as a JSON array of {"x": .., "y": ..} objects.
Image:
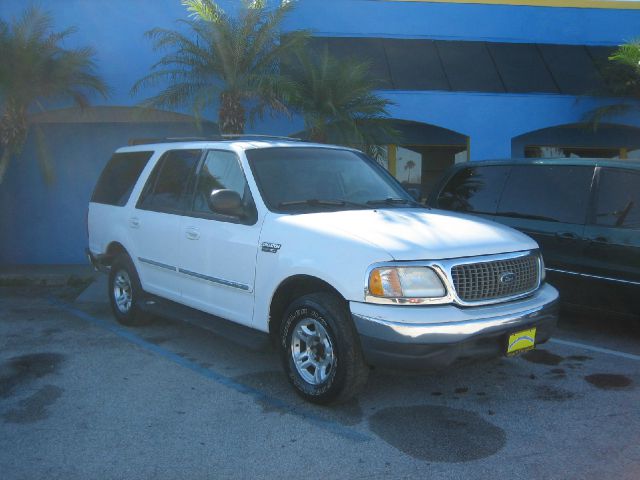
[{"x": 496, "y": 124}]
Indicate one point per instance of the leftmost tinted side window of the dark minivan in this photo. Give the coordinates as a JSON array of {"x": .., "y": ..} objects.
[{"x": 474, "y": 189}]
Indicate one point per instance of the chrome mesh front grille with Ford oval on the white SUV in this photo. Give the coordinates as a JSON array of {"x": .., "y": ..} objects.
[{"x": 496, "y": 279}]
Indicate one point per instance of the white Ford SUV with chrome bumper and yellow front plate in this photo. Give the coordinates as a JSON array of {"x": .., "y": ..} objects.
[{"x": 319, "y": 247}]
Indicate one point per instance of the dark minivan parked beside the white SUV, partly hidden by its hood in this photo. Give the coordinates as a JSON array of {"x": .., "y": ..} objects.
[{"x": 585, "y": 215}]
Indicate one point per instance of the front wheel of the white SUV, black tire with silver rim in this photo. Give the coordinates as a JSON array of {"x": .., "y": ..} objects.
[{"x": 321, "y": 351}]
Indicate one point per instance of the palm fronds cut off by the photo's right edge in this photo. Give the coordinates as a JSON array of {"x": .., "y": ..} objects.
[{"x": 622, "y": 76}]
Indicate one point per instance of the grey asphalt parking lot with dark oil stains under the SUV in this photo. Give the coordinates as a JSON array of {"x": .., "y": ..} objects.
[{"x": 82, "y": 397}]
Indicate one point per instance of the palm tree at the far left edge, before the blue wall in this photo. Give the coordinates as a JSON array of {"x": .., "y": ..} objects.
[{"x": 35, "y": 69}]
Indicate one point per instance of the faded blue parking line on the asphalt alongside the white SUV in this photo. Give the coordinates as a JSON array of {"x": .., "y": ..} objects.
[{"x": 328, "y": 425}]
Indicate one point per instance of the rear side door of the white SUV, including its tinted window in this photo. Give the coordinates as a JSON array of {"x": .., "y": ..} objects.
[{"x": 154, "y": 224}]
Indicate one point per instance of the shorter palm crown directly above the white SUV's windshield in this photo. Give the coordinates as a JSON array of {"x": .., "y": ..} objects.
[{"x": 337, "y": 101}]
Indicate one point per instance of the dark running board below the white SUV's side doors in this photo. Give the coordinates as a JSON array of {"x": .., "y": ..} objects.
[{"x": 239, "y": 334}]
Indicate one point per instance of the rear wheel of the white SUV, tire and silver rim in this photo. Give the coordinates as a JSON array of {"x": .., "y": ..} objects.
[{"x": 125, "y": 293}]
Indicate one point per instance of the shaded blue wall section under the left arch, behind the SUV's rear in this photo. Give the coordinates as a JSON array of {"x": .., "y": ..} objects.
[{"x": 44, "y": 223}]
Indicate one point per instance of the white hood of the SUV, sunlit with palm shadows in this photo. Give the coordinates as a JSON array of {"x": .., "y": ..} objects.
[{"x": 417, "y": 234}]
